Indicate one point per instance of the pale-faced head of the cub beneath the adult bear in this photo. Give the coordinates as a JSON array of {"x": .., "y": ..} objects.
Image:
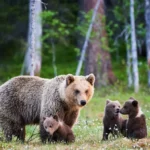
[{"x": 51, "y": 124}]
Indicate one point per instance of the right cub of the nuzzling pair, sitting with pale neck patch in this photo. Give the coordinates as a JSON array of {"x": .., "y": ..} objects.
[{"x": 136, "y": 123}]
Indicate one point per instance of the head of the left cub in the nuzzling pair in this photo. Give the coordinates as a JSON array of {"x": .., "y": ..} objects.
[{"x": 112, "y": 108}]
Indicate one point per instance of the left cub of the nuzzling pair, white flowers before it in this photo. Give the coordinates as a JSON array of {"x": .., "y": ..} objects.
[{"x": 112, "y": 120}]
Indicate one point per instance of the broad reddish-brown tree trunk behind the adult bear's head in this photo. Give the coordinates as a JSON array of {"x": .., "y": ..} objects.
[{"x": 98, "y": 60}]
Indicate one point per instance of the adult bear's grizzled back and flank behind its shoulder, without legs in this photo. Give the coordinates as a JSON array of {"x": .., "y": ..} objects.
[{"x": 20, "y": 95}]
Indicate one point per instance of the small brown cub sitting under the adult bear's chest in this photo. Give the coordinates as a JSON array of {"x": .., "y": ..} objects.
[{"x": 58, "y": 130}]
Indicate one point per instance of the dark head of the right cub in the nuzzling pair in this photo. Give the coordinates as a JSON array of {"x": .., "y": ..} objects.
[{"x": 130, "y": 107}]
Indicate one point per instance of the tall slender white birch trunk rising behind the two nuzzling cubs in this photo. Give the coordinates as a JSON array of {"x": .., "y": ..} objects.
[{"x": 134, "y": 48}]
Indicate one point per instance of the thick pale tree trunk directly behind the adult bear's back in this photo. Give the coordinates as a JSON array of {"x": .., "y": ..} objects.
[{"x": 32, "y": 61}]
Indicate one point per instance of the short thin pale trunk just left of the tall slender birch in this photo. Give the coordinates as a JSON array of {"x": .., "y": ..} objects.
[{"x": 129, "y": 64}]
